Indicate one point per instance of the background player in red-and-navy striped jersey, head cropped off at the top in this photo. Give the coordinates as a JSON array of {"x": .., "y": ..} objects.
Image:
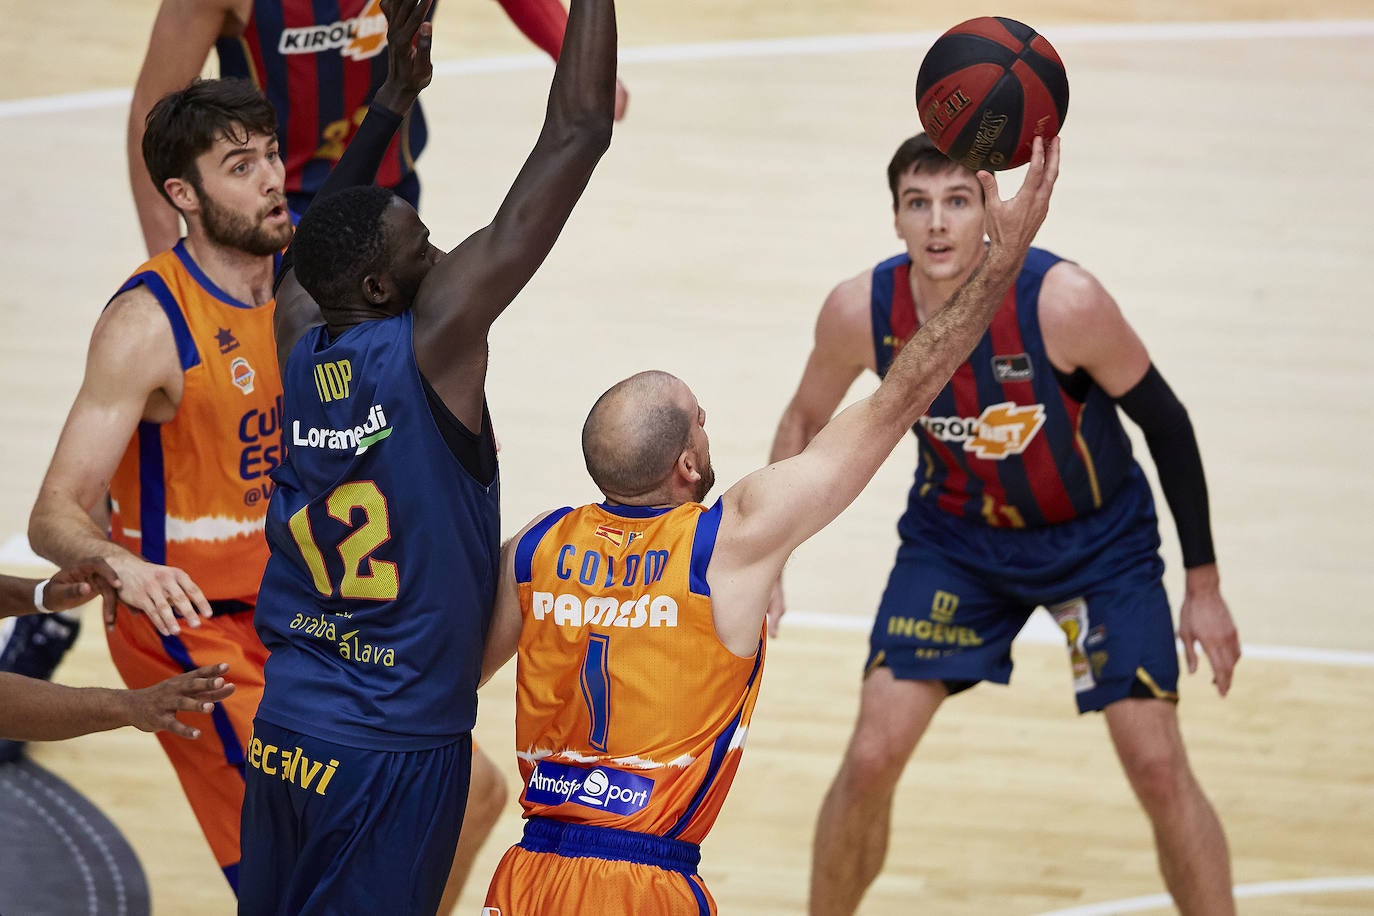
[{"x": 318, "y": 64}]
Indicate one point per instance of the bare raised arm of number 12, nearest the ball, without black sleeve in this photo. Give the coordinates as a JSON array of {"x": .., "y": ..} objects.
[{"x": 469, "y": 288}]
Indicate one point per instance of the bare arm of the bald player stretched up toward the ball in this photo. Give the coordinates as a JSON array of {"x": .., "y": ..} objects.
[{"x": 774, "y": 510}]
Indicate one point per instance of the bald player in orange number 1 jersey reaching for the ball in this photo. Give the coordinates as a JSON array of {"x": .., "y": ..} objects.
[{"x": 640, "y": 621}]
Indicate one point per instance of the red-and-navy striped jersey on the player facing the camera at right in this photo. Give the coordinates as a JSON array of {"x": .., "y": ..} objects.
[{"x": 1005, "y": 444}]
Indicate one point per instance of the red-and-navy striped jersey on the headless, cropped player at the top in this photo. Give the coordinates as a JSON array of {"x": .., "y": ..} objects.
[{"x": 319, "y": 64}]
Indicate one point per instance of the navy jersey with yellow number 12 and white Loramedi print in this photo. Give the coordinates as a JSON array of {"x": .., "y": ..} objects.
[{"x": 379, "y": 593}]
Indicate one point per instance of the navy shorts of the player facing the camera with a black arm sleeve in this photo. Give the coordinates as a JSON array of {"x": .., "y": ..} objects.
[{"x": 960, "y": 594}]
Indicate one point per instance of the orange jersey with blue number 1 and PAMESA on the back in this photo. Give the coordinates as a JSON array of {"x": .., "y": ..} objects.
[{"x": 630, "y": 712}]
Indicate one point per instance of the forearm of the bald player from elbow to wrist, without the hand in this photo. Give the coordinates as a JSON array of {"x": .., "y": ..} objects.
[{"x": 930, "y": 359}]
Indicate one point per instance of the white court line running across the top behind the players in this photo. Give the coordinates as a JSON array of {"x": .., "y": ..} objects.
[{"x": 1064, "y": 35}]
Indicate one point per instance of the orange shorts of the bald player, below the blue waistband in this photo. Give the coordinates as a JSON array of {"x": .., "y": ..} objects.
[{"x": 528, "y": 884}]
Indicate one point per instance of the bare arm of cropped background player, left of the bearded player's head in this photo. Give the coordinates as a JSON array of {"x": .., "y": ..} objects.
[{"x": 183, "y": 35}]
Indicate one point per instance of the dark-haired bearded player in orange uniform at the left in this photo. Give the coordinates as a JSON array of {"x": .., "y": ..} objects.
[{"x": 178, "y": 421}]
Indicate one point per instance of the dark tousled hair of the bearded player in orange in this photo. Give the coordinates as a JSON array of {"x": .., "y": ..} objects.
[{"x": 188, "y": 123}]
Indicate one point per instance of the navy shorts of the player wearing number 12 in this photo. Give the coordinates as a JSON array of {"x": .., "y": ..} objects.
[{"x": 330, "y": 829}]
